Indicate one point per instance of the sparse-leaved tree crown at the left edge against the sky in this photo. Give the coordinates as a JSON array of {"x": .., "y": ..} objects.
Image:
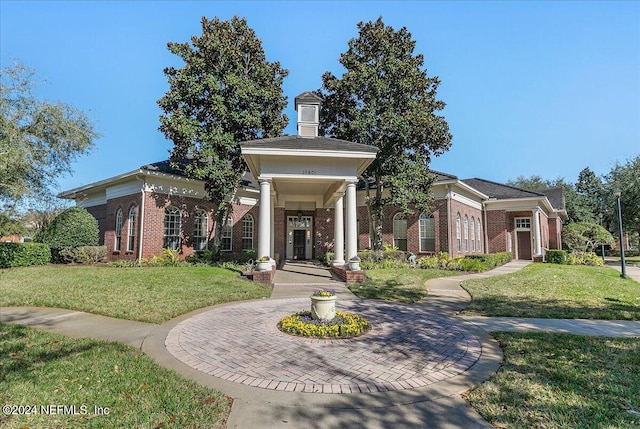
[{"x": 39, "y": 140}]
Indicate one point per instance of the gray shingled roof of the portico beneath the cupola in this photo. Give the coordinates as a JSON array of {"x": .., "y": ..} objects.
[{"x": 309, "y": 143}]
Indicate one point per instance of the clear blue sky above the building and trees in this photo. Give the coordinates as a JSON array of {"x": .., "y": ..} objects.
[{"x": 544, "y": 88}]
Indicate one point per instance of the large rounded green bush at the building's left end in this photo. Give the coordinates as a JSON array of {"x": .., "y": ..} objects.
[{"x": 73, "y": 227}]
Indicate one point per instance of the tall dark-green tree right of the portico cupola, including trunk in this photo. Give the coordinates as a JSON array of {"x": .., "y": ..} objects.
[{"x": 385, "y": 99}]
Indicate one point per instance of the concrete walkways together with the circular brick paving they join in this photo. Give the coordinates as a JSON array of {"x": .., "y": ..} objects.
[{"x": 409, "y": 371}]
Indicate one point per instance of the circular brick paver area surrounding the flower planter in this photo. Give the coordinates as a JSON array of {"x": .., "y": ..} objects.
[{"x": 407, "y": 347}]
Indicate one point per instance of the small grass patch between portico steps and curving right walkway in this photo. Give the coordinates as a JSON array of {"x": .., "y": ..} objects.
[{"x": 397, "y": 284}]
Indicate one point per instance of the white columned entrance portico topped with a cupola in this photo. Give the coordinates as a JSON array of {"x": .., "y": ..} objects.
[{"x": 303, "y": 173}]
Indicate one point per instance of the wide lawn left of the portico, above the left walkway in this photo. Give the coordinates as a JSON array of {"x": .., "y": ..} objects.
[{"x": 151, "y": 294}]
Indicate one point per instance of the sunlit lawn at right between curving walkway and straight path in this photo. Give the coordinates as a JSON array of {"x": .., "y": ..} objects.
[{"x": 556, "y": 291}]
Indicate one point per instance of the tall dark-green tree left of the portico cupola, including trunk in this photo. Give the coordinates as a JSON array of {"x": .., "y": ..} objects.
[{"x": 226, "y": 93}]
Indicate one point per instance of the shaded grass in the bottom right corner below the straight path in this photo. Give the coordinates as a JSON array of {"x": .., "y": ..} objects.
[{"x": 562, "y": 381}]
